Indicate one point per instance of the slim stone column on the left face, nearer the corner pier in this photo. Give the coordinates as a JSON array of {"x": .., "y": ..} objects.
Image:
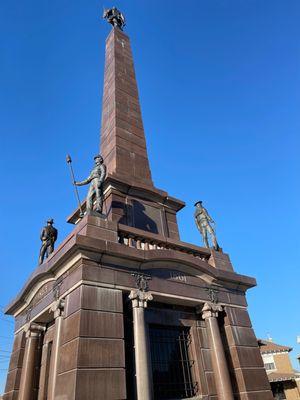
[{"x": 57, "y": 308}]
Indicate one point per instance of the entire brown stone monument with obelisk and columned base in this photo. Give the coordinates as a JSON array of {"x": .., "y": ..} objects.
[{"x": 123, "y": 309}]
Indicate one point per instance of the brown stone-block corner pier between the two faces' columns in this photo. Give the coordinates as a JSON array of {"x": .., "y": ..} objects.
[{"x": 92, "y": 354}]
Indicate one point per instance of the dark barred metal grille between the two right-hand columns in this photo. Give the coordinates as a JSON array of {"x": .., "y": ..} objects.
[{"x": 171, "y": 366}]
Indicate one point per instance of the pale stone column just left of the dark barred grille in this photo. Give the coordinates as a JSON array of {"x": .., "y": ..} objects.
[{"x": 142, "y": 358}]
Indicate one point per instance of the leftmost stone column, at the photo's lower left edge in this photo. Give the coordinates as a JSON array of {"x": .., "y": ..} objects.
[{"x": 33, "y": 332}]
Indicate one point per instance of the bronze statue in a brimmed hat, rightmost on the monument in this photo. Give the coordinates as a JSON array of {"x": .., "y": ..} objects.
[{"x": 204, "y": 224}]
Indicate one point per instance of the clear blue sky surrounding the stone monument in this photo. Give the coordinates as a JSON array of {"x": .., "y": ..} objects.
[{"x": 219, "y": 86}]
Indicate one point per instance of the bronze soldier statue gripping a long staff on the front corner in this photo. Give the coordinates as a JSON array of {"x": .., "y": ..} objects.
[{"x": 96, "y": 180}]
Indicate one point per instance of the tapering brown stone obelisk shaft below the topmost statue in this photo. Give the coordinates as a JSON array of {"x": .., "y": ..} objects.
[{"x": 123, "y": 142}]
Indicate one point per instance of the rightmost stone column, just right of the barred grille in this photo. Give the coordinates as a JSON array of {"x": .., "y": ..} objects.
[{"x": 223, "y": 384}]
